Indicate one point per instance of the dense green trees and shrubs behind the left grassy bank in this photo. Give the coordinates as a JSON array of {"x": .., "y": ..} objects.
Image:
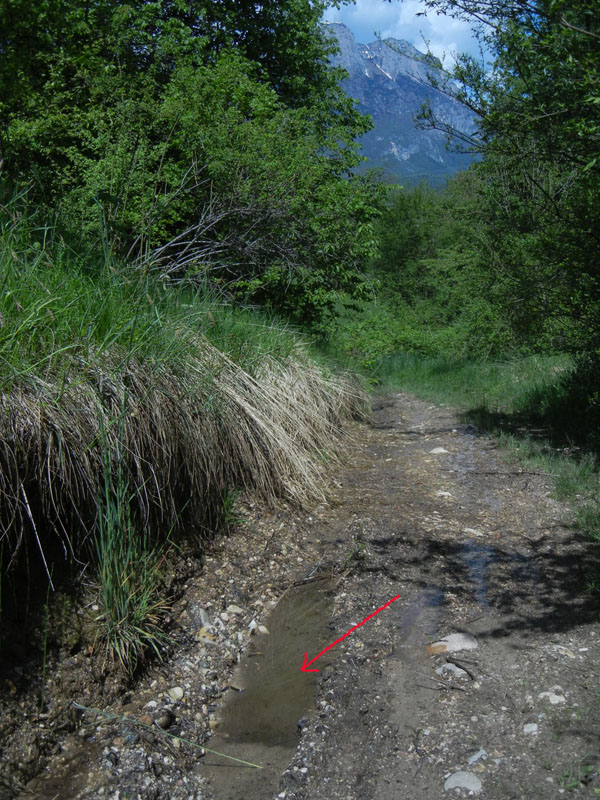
[{"x": 204, "y": 141}]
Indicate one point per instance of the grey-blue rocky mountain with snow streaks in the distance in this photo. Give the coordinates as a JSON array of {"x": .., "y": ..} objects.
[{"x": 391, "y": 81}]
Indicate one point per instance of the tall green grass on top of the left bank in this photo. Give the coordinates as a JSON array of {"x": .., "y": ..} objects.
[{"x": 58, "y": 306}]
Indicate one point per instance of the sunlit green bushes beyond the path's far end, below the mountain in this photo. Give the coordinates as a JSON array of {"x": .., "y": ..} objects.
[{"x": 433, "y": 295}]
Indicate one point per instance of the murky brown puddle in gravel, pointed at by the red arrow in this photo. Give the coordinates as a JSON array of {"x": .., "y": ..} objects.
[{"x": 260, "y": 722}]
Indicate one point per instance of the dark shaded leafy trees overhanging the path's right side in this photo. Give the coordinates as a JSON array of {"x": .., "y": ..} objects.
[{"x": 538, "y": 191}]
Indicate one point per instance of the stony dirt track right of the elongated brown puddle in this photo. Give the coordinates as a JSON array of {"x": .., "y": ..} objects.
[{"x": 473, "y": 545}]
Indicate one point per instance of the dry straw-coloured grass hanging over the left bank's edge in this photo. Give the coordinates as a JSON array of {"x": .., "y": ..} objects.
[{"x": 185, "y": 435}]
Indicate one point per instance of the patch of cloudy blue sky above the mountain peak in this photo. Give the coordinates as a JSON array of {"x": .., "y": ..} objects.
[{"x": 399, "y": 19}]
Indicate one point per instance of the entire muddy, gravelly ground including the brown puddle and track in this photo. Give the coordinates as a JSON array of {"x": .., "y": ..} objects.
[{"x": 480, "y": 679}]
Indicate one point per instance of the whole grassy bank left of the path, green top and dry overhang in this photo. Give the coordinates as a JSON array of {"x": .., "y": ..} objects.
[{"x": 132, "y": 412}]
